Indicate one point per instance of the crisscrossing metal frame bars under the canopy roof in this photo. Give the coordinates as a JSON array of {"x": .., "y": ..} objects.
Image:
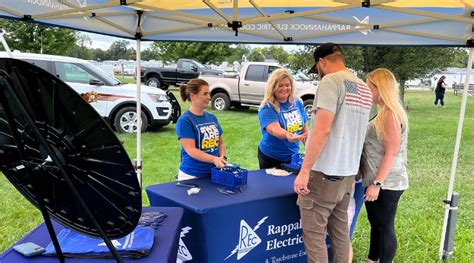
[{"x": 235, "y": 25}]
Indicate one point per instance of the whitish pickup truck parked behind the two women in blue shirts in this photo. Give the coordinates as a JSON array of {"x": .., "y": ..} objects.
[{"x": 247, "y": 88}]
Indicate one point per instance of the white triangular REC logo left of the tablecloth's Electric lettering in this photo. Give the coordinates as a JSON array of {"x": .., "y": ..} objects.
[{"x": 248, "y": 239}]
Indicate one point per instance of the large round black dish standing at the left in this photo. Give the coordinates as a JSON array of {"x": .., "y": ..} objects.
[{"x": 62, "y": 156}]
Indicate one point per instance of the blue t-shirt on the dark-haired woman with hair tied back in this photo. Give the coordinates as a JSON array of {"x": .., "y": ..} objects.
[{"x": 205, "y": 130}]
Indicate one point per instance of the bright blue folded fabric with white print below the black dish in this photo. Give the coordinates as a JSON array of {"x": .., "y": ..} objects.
[{"x": 135, "y": 245}]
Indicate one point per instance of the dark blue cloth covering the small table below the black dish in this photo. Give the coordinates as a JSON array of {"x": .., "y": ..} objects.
[{"x": 164, "y": 249}]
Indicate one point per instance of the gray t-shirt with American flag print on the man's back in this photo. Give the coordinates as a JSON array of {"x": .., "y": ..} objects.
[{"x": 350, "y": 99}]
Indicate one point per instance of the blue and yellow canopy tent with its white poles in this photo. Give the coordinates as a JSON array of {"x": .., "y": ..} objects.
[{"x": 354, "y": 22}]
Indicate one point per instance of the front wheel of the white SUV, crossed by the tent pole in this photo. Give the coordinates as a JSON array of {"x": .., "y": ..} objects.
[{"x": 125, "y": 120}]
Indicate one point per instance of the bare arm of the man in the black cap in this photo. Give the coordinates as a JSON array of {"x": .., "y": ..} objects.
[{"x": 317, "y": 141}]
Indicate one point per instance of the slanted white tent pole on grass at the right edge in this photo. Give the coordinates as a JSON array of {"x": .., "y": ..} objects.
[{"x": 447, "y": 206}]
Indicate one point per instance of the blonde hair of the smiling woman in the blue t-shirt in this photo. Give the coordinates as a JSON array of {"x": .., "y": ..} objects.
[{"x": 272, "y": 84}]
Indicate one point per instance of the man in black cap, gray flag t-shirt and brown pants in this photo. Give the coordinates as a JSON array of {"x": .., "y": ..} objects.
[{"x": 338, "y": 126}]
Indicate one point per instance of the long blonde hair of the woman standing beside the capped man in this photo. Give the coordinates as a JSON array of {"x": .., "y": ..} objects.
[{"x": 389, "y": 95}]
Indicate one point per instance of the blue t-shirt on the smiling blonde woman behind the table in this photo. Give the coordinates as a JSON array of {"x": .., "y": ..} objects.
[{"x": 291, "y": 118}]
